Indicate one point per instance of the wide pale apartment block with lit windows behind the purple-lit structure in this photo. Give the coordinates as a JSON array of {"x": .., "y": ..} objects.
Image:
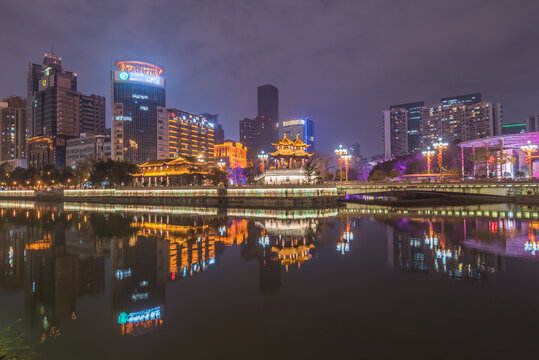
[{"x": 459, "y": 122}]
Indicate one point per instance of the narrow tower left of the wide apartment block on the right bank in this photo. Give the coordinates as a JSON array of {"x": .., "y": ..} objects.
[{"x": 395, "y": 132}]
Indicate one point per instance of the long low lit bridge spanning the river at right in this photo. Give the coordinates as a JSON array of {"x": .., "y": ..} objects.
[{"x": 510, "y": 190}]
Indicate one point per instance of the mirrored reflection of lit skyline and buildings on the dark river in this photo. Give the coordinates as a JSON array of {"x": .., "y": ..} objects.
[{"x": 56, "y": 255}]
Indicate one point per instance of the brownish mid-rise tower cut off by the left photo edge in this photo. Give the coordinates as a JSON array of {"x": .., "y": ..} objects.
[{"x": 12, "y": 128}]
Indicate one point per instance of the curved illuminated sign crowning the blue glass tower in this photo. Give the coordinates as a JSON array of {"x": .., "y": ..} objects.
[{"x": 139, "y": 72}]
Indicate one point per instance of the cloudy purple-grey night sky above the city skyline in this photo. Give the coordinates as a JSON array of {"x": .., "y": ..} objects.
[{"x": 337, "y": 62}]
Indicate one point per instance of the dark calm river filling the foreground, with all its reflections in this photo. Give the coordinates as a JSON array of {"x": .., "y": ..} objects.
[{"x": 83, "y": 281}]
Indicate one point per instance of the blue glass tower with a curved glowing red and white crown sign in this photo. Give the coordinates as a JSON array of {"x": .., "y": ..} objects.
[{"x": 138, "y": 109}]
